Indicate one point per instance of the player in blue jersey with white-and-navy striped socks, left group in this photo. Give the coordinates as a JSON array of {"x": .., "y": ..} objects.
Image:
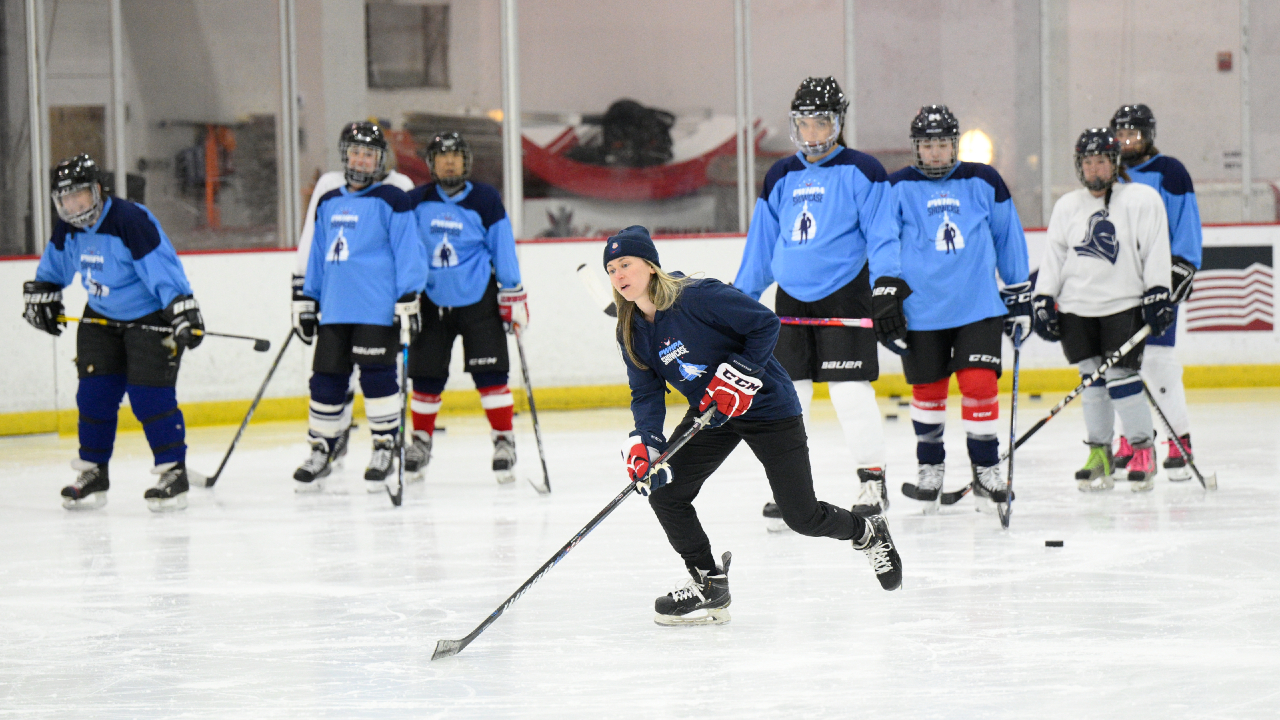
[{"x": 364, "y": 277}]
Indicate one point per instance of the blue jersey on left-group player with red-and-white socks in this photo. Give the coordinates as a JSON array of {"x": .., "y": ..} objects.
[{"x": 468, "y": 239}]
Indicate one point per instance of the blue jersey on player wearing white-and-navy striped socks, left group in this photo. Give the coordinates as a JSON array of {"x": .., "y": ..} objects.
[{"x": 367, "y": 254}]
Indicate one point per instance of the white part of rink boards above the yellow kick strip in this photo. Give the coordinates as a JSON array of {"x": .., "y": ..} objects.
[{"x": 570, "y": 343}]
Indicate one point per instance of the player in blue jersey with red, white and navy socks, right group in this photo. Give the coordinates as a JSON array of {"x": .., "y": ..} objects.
[{"x": 958, "y": 227}]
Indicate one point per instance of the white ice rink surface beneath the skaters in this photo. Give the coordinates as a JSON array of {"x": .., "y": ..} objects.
[{"x": 257, "y": 603}]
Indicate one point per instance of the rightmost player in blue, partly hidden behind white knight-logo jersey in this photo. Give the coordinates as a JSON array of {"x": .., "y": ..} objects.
[{"x": 1136, "y": 131}]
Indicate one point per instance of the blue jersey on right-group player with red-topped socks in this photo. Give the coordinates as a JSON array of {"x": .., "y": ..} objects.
[{"x": 953, "y": 235}]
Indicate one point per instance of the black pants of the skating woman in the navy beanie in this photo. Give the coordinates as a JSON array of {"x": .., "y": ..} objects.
[{"x": 783, "y": 448}]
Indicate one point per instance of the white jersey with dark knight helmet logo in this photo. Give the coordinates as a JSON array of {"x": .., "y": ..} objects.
[{"x": 1100, "y": 261}]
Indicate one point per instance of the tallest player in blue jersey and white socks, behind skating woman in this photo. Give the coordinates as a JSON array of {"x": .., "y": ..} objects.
[{"x": 816, "y": 217}]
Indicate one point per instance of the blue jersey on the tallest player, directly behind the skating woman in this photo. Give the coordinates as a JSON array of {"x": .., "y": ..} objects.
[{"x": 815, "y": 224}]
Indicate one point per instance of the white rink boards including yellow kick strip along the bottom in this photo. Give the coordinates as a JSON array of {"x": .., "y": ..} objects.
[{"x": 574, "y": 362}]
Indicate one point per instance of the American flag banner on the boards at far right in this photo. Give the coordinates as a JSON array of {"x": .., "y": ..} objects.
[{"x": 1233, "y": 291}]
